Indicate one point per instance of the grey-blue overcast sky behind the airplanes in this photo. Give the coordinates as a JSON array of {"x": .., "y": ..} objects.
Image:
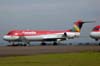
[{"x": 48, "y": 15}]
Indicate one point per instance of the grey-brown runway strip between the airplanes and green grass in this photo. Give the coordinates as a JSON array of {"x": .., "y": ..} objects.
[{"x": 33, "y": 50}]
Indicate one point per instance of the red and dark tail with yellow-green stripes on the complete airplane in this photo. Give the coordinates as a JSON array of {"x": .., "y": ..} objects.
[{"x": 78, "y": 25}]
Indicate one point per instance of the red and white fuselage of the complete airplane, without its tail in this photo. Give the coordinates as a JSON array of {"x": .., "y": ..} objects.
[{"x": 39, "y": 35}]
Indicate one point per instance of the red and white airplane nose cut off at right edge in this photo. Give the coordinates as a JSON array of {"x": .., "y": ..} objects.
[{"x": 95, "y": 33}]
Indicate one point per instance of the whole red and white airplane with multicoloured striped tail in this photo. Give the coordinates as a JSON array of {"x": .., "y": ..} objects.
[{"x": 27, "y": 36}]
